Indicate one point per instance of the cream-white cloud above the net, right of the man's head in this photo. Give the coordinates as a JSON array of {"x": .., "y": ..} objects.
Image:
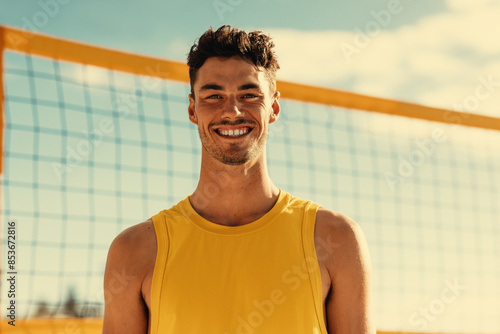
[{"x": 437, "y": 61}]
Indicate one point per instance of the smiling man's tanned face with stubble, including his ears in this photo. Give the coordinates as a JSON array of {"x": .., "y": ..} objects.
[{"x": 233, "y": 107}]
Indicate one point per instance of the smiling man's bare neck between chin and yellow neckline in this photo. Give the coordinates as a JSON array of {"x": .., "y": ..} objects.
[{"x": 233, "y": 195}]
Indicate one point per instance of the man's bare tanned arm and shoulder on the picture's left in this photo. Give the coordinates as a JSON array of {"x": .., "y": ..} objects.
[{"x": 129, "y": 260}]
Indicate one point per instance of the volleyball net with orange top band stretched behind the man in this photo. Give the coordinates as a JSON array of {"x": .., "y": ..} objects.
[{"x": 96, "y": 140}]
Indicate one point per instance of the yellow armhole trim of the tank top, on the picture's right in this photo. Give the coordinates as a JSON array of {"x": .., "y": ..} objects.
[{"x": 311, "y": 260}]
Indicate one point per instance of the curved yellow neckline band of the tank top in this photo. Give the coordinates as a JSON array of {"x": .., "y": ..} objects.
[{"x": 266, "y": 219}]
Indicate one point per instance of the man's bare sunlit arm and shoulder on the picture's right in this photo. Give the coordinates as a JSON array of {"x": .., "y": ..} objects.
[{"x": 348, "y": 309}]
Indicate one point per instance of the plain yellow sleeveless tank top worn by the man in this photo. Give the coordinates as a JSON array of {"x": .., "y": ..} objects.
[{"x": 258, "y": 278}]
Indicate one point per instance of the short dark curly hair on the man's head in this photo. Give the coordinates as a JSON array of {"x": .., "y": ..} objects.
[{"x": 227, "y": 42}]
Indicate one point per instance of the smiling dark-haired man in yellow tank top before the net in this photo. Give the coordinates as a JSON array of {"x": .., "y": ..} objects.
[{"x": 239, "y": 255}]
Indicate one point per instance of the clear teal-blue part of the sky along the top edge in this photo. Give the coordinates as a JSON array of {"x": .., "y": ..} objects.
[{"x": 147, "y": 26}]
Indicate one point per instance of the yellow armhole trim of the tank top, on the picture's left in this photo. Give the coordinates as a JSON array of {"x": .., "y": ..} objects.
[{"x": 162, "y": 242}]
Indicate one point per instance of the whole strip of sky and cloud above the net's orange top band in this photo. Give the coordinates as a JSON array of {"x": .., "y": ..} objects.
[{"x": 438, "y": 53}]
